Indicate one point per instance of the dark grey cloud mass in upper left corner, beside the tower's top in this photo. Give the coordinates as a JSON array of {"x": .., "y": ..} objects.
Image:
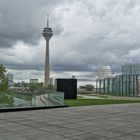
[{"x": 22, "y": 21}]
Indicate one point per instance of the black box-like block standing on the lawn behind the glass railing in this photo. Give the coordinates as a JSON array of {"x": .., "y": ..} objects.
[{"x": 68, "y": 86}]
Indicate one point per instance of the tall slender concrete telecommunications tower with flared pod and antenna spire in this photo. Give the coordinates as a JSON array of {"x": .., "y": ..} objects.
[{"x": 47, "y": 33}]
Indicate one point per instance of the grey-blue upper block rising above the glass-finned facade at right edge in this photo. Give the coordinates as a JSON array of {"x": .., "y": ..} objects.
[{"x": 131, "y": 69}]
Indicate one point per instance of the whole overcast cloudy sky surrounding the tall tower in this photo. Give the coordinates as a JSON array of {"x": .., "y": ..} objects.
[{"x": 87, "y": 34}]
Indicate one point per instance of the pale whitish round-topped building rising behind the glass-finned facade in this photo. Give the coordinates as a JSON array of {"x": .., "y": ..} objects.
[{"x": 105, "y": 72}]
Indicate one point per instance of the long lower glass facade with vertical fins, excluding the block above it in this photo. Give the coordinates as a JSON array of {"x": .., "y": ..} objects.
[{"x": 124, "y": 85}]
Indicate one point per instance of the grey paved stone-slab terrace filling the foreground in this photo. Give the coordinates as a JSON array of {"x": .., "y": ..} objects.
[{"x": 108, "y": 122}]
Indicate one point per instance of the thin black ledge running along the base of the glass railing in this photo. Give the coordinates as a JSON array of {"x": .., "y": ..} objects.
[{"x": 30, "y": 108}]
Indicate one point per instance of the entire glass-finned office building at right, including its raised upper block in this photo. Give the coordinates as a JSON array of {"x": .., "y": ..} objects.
[{"x": 127, "y": 84}]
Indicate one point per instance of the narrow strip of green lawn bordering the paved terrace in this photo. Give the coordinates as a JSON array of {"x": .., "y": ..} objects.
[{"x": 87, "y": 102}]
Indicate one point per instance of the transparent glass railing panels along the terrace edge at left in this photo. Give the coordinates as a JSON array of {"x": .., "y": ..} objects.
[{"x": 23, "y": 100}]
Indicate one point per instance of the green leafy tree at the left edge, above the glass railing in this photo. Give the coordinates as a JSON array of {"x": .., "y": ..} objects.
[{"x": 3, "y": 79}]
